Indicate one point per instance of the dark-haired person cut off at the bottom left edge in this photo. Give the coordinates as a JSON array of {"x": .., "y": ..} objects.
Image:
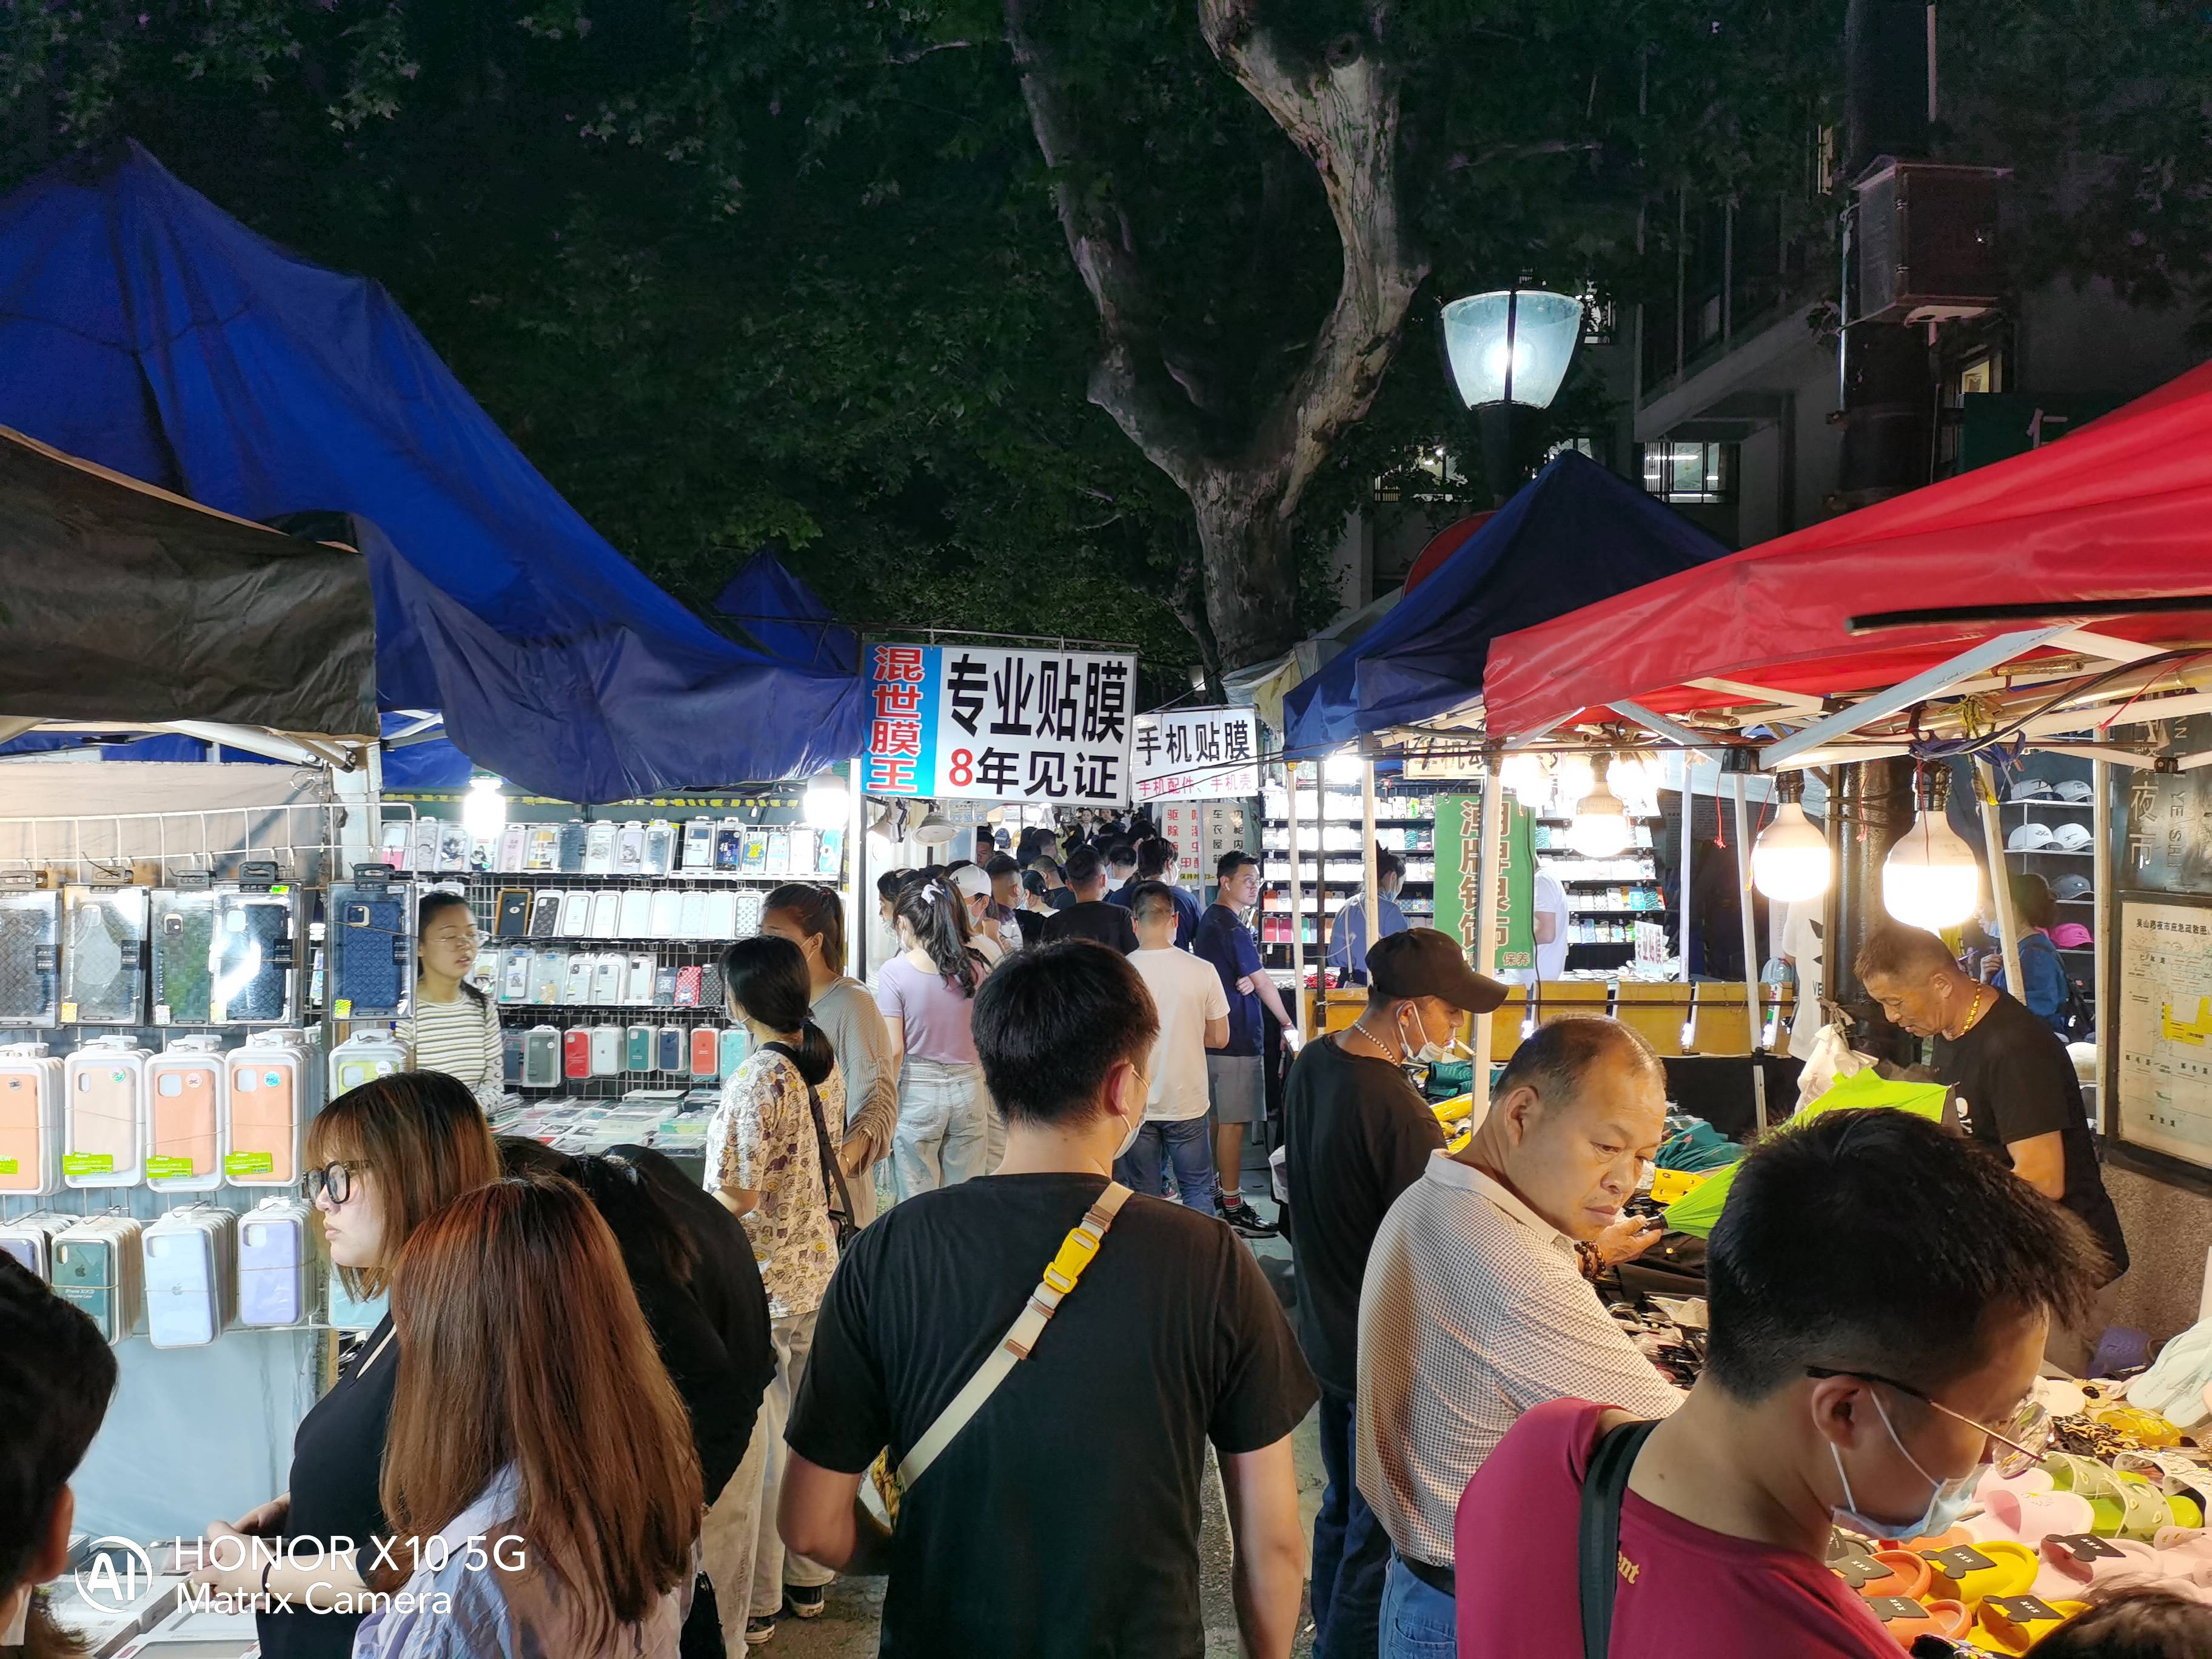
[{"x": 56, "y": 1381}]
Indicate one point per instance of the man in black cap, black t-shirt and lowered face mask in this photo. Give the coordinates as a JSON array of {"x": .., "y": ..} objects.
[{"x": 1357, "y": 1136}]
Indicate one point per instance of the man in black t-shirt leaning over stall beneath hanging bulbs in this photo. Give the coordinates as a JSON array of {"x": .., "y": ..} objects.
[{"x": 2016, "y": 1092}]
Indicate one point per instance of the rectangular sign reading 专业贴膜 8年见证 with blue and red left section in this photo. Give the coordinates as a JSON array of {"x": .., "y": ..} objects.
[{"x": 985, "y": 724}]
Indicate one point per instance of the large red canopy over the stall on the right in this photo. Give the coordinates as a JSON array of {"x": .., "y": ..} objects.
[{"x": 2025, "y": 561}]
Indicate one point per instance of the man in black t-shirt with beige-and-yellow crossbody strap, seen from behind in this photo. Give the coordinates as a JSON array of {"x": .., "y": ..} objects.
[{"x": 1063, "y": 1519}]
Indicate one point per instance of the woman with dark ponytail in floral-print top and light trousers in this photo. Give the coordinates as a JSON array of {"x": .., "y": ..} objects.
[{"x": 771, "y": 1158}]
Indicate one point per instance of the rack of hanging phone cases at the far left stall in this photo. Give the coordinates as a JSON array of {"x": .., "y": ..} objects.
[{"x": 163, "y": 1052}]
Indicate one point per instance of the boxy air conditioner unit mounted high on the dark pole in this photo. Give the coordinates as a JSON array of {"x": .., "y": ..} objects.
[{"x": 1928, "y": 244}]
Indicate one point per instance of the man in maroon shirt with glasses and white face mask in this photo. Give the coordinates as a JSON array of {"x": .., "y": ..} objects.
[{"x": 1881, "y": 1295}]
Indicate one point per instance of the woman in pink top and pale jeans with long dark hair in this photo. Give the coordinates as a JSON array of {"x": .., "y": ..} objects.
[{"x": 926, "y": 997}]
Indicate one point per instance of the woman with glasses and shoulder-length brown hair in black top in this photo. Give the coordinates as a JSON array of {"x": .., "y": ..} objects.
[{"x": 382, "y": 1160}]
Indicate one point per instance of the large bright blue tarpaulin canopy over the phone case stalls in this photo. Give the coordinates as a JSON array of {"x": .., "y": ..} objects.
[{"x": 152, "y": 333}]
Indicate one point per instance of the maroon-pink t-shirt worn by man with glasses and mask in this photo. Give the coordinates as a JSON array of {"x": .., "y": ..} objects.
[{"x": 1684, "y": 1592}]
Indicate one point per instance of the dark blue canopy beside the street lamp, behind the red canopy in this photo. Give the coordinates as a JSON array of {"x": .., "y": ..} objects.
[{"x": 1574, "y": 536}]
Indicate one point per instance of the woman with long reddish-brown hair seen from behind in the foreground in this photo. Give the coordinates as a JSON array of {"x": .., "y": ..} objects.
[{"x": 539, "y": 1470}]
